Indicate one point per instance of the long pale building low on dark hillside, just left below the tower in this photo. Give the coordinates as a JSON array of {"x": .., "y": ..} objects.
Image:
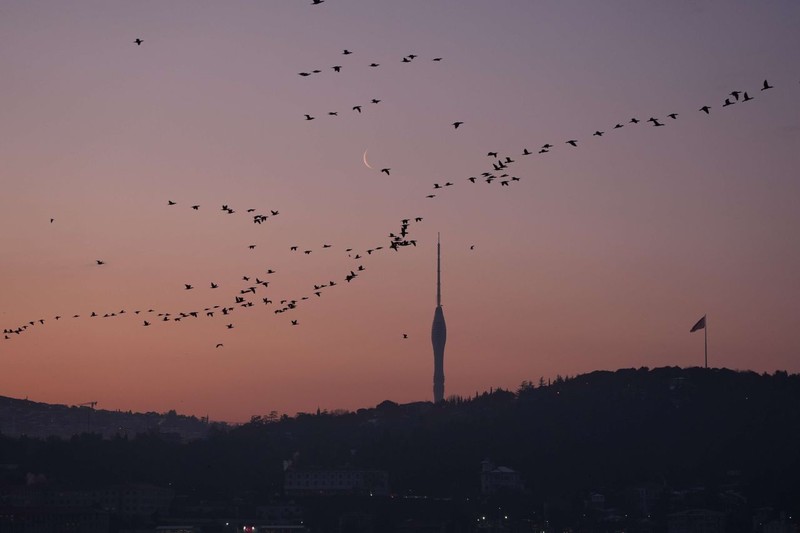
[{"x": 345, "y": 481}]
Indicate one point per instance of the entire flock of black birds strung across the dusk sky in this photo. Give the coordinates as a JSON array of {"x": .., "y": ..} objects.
[{"x": 254, "y": 288}]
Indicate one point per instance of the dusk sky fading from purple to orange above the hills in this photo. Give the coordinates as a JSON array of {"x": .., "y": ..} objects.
[{"x": 600, "y": 256}]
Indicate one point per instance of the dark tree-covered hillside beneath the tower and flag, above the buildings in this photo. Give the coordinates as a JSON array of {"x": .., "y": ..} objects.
[{"x": 598, "y": 432}]
